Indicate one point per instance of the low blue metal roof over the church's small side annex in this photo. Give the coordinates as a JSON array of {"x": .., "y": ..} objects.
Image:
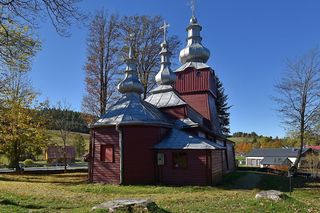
[{"x": 178, "y": 139}]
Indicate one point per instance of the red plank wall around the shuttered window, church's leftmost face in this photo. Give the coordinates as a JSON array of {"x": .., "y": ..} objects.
[{"x": 106, "y": 172}]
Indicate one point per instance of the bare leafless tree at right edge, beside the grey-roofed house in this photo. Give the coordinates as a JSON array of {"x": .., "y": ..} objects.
[{"x": 299, "y": 96}]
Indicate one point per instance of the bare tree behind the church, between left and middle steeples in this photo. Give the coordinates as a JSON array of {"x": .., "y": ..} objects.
[{"x": 146, "y": 44}]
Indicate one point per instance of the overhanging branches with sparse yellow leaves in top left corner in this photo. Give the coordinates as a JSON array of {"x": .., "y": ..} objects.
[{"x": 19, "y": 20}]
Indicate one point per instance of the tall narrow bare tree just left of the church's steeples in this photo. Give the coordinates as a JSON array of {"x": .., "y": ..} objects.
[{"x": 102, "y": 63}]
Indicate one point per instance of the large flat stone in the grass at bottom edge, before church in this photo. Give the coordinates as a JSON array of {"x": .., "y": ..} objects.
[{"x": 128, "y": 205}]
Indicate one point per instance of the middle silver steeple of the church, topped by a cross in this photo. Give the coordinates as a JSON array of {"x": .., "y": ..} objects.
[{"x": 165, "y": 76}]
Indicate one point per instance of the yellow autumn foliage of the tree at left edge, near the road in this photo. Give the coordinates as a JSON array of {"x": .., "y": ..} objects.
[{"x": 20, "y": 125}]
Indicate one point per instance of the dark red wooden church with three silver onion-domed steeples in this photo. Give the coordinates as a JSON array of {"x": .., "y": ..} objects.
[{"x": 172, "y": 137}]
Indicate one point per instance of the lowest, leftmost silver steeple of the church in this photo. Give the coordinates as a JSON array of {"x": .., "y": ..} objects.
[{"x": 131, "y": 83}]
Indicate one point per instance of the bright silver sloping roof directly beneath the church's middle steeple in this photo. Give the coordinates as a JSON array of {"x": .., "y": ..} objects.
[{"x": 164, "y": 96}]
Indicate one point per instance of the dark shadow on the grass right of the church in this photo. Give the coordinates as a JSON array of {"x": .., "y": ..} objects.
[{"x": 249, "y": 180}]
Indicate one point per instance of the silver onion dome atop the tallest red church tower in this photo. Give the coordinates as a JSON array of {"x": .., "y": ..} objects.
[{"x": 194, "y": 51}]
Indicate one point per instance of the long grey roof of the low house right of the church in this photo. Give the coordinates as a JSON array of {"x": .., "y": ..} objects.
[{"x": 275, "y": 152}]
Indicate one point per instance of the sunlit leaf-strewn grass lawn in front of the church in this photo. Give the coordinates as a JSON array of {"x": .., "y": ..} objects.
[{"x": 70, "y": 193}]
